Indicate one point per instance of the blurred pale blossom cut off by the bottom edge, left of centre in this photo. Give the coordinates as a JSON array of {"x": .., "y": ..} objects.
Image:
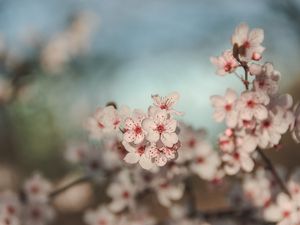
[{"x": 100, "y": 216}]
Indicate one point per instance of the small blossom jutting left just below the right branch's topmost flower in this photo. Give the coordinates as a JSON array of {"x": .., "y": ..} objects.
[{"x": 225, "y": 63}]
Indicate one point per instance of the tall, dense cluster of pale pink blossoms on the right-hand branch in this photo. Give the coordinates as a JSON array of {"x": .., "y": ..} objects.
[{"x": 257, "y": 117}]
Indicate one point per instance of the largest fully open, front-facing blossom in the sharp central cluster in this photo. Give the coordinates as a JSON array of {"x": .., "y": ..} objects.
[{"x": 161, "y": 127}]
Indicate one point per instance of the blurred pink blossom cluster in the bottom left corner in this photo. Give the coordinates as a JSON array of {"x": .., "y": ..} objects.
[{"x": 33, "y": 206}]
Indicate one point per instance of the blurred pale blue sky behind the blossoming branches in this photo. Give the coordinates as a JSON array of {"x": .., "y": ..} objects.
[{"x": 161, "y": 46}]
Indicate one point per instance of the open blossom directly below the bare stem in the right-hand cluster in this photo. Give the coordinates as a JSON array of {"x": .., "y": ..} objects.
[{"x": 253, "y": 104}]
